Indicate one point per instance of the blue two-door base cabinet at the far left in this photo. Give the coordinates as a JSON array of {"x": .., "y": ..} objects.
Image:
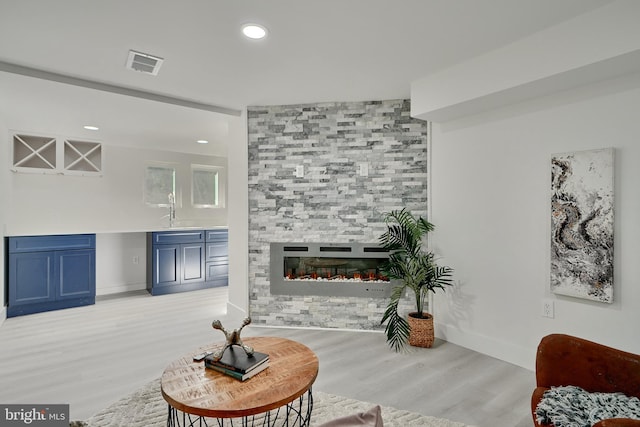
[{"x": 50, "y": 272}]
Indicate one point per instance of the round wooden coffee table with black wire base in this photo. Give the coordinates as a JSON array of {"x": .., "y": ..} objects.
[{"x": 280, "y": 392}]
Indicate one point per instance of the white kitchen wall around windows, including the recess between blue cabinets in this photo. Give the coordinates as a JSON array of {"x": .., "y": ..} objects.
[{"x": 111, "y": 206}]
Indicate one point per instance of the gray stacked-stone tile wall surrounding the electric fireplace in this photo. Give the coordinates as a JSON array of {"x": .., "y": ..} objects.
[{"x": 326, "y": 173}]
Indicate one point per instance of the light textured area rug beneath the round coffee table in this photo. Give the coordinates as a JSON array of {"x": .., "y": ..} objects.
[{"x": 146, "y": 408}]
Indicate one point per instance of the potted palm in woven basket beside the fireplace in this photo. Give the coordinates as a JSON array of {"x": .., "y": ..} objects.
[{"x": 414, "y": 269}]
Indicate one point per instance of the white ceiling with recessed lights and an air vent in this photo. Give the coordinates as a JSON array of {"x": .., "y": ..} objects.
[{"x": 317, "y": 50}]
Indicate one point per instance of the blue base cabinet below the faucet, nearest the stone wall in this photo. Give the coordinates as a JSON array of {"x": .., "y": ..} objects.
[{"x": 178, "y": 261}]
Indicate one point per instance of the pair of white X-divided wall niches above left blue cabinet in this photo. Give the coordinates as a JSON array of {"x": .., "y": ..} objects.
[{"x": 53, "y": 154}]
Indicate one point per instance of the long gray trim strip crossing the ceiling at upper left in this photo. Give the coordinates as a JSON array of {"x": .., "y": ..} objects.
[{"x": 105, "y": 87}]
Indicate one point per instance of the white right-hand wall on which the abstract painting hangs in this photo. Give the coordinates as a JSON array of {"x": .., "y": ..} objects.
[{"x": 491, "y": 206}]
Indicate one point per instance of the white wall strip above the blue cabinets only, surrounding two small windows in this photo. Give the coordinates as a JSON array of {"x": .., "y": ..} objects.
[{"x": 57, "y": 204}]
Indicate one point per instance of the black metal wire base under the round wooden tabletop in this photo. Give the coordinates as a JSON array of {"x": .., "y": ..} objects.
[{"x": 294, "y": 414}]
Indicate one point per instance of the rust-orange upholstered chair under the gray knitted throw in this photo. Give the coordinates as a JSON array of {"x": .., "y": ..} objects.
[{"x": 563, "y": 360}]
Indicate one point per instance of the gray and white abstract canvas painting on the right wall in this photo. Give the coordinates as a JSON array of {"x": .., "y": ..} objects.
[{"x": 582, "y": 224}]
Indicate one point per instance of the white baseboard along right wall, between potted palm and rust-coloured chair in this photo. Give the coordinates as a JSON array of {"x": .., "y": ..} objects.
[{"x": 505, "y": 351}]
